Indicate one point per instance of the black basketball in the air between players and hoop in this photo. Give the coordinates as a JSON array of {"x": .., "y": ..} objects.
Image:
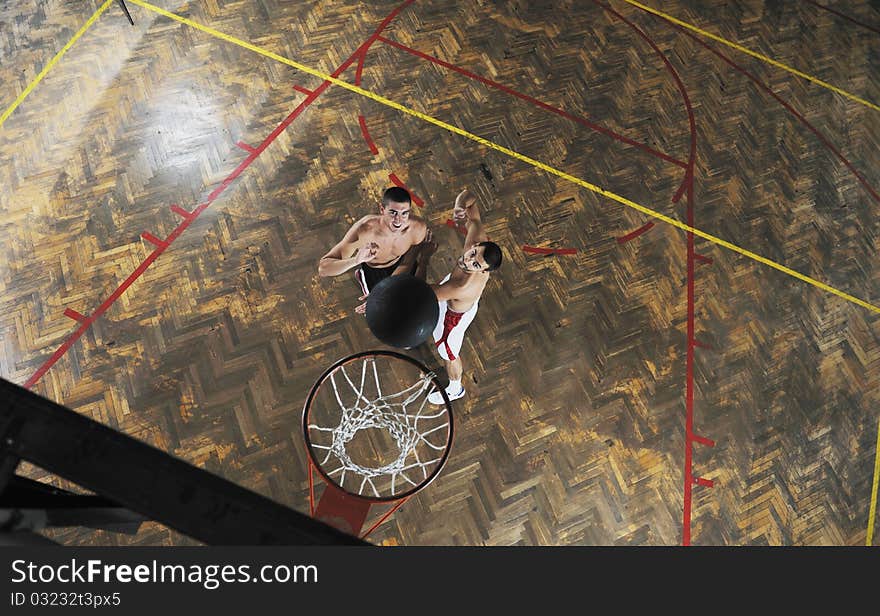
[{"x": 402, "y": 311}]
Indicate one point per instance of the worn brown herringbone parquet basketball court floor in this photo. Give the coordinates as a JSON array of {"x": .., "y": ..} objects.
[{"x": 682, "y": 346}]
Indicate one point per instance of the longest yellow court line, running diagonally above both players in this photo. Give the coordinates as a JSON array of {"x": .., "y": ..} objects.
[{"x": 531, "y": 161}]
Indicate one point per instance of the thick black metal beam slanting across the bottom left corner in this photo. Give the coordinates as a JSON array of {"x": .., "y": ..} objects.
[{"x": 147, "y": 480}]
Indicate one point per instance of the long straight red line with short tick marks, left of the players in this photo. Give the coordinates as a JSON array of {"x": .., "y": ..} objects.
[{"x": 190, "y": 217}]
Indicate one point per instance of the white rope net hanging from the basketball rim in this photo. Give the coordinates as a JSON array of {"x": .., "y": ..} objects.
[{"x": 420, "y": 434}]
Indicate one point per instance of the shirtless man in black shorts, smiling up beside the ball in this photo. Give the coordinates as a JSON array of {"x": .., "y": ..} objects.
[{"x": 379, "y": 245}]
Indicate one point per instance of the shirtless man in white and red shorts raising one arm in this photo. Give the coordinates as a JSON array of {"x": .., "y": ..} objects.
[{"x": 459, "y": 292}]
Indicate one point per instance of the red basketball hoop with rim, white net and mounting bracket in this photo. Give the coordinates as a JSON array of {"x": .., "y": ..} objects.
[{"x": 372, "y": 435}]
